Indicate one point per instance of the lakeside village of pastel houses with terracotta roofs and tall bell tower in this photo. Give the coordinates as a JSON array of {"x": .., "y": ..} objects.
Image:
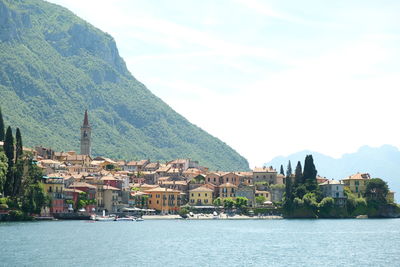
[{"x": 78, "y": 183}]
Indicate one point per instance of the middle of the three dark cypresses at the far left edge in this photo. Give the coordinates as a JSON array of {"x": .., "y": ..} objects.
[{"x": 9, "y": 151}]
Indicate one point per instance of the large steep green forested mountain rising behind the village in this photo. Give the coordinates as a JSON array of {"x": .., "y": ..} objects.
[{"x": 54, "y": 65}]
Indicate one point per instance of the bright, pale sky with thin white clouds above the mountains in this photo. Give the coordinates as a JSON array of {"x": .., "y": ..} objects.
[{"x": 268, "y": 78}]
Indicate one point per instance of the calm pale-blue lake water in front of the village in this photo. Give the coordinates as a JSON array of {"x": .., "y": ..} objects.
[{"x": 202, "y": 243}]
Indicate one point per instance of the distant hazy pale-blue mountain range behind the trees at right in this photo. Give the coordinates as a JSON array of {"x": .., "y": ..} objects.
[{"x": 382, "y": 162}]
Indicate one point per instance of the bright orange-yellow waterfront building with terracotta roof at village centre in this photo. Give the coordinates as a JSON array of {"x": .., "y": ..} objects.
[{"x": 164, "y": 199}]
